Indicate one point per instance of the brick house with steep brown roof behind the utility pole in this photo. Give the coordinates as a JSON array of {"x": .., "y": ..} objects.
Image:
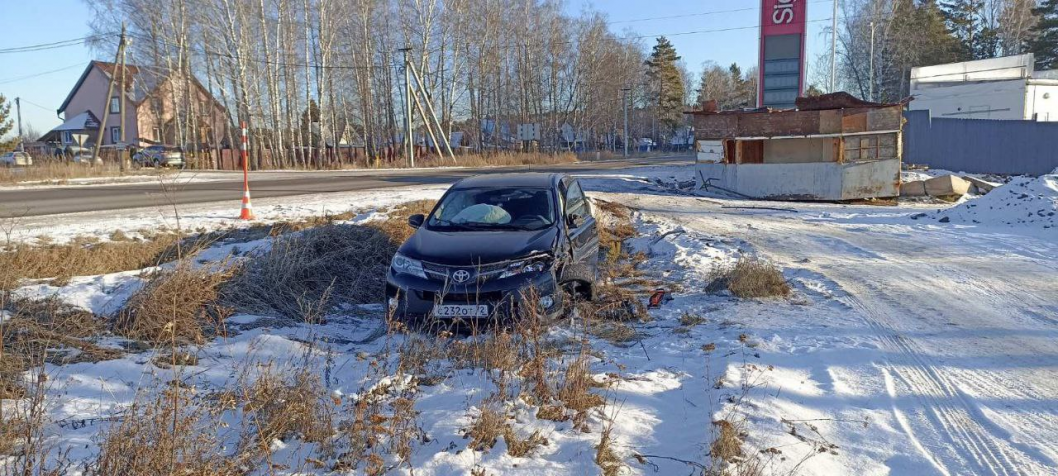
[{"x": 161, "y": 109}]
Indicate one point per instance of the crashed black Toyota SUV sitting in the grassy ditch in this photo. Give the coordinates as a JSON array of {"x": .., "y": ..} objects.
[{"x": 494, "y": 242}]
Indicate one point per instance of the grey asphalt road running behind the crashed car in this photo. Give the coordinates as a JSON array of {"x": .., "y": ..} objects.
[{"x": 35, "y": 203}]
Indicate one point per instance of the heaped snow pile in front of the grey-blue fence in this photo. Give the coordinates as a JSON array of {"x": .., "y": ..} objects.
[{"x": 1030, "y": 203}]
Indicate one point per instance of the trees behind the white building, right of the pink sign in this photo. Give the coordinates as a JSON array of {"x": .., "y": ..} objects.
[{"x": 917, "y": 33}]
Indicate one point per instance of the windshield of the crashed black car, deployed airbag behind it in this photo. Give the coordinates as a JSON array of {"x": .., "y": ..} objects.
[{"x": 495, "y": 209}]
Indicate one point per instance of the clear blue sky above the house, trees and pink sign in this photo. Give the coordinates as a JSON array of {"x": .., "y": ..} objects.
[{"x": 46, "y": 22}]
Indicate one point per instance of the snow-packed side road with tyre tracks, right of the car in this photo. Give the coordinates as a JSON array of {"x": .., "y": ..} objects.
[{"x": 959, "y": 338}]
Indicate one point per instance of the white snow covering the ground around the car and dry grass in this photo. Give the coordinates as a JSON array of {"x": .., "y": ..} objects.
[{"x": 910, "y": 345}]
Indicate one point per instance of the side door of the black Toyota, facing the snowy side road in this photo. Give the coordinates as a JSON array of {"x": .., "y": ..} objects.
[{"x": 582, "y": 233}]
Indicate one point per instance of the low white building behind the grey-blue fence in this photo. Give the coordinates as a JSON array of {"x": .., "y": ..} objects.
[{"x": 1007, "y": 88}]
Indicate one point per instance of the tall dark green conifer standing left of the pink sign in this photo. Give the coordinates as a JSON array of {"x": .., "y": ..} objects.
[{"x": 667, "y": 85}]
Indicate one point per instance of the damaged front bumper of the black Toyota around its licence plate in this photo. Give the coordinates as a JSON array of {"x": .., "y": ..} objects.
[{"x": 413, "y": 300}]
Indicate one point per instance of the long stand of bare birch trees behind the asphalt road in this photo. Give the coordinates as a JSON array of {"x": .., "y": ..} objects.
[{"x": 306, "y": 74}]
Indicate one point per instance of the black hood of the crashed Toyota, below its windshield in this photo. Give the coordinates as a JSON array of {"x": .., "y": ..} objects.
[{"x": 478, "y": 248}]
